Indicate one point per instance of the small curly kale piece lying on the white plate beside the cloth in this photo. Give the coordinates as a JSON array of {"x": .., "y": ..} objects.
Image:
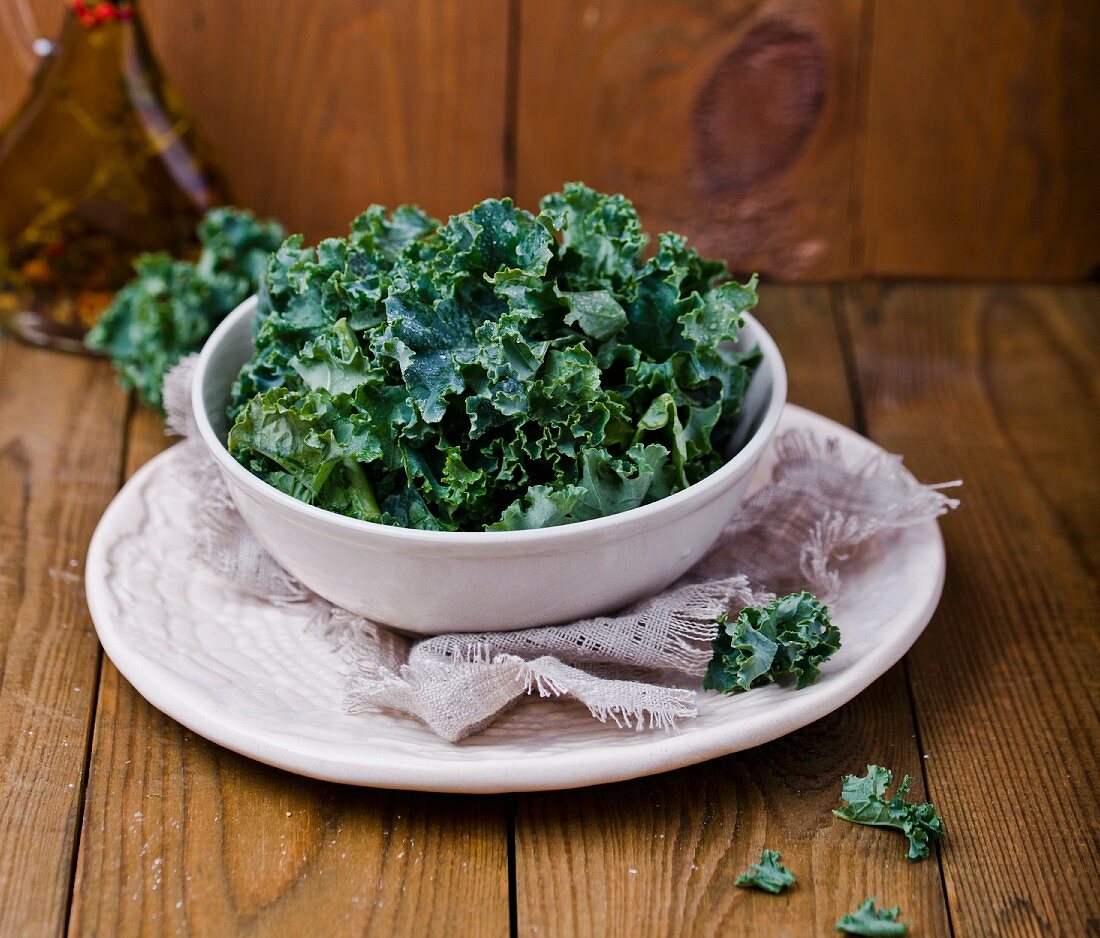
[{"x": 789, "y": 636}]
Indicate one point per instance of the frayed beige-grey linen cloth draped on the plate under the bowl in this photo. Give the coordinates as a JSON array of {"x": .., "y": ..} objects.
[{"x": 795, "y": 534}]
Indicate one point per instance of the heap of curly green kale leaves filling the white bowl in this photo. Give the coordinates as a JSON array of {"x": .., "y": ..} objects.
[{"x": 502, "y": 371}]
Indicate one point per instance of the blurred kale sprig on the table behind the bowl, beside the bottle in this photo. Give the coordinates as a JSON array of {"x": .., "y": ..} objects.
[{"x": 172, "y": 306}]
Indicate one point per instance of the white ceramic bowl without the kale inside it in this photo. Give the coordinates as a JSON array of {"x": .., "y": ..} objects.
[{"x": 434, "y": 582}]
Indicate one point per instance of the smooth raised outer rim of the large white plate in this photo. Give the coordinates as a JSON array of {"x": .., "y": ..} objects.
[{"x": 589, "y": 765}]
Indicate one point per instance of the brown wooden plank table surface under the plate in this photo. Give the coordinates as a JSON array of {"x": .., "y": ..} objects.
[{"x": 116, "y": 821}]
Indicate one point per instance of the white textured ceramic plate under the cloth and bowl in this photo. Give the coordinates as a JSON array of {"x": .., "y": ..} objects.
[{"x": 254, "y": 679}]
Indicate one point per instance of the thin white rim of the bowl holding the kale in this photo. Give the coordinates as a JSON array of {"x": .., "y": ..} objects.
[{"x": 747, "y": 456}]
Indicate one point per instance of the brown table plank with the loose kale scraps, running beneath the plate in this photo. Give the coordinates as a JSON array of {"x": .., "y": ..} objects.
[{"x": 661, "y": 856}]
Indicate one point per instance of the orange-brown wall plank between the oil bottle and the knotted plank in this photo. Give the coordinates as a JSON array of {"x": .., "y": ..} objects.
[{"x": 317, "y": 111}]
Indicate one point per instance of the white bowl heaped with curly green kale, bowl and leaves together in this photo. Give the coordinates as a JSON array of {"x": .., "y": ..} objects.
[{"x": 509, "y": 420}]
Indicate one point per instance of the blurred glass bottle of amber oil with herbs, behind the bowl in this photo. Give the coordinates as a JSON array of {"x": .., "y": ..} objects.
[{"x": 97, "y": 167}]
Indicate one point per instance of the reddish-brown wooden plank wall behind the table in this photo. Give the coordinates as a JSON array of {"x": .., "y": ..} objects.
[{"x": 806, "y": 139}]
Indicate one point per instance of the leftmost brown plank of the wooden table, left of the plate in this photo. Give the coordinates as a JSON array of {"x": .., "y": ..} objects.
[{"x": 62, "y": 421}]
